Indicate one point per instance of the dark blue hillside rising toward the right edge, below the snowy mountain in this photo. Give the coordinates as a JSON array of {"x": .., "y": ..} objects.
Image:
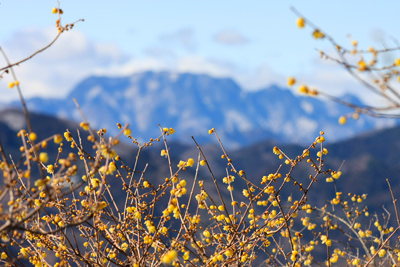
[{"x": 365, "y": 161}]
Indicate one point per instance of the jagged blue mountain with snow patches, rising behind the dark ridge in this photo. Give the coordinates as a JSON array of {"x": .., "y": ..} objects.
[{"x": 194, "y": 103}]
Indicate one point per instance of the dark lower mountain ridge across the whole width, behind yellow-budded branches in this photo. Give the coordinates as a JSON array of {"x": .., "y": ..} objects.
[{"x": 366, "y": 160}]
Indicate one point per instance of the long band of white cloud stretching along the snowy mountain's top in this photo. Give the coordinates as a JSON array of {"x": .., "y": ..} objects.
[{"x": 74, "y": 57}]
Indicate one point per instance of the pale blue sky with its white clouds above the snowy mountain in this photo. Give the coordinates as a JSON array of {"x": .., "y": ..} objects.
[{"x": 255, "y": 42}]
